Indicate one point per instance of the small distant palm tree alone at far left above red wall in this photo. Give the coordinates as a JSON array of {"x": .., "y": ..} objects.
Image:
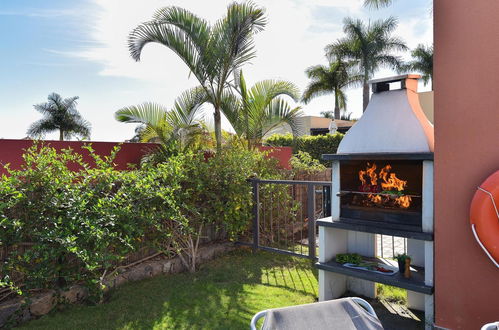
[{"x": 60, "y": 114}]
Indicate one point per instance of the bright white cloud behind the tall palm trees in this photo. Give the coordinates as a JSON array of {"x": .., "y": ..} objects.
[{"x": 294, "y": 39}]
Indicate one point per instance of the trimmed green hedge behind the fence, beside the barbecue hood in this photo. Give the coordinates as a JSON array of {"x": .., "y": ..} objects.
[{"x": 316, "y": 146}]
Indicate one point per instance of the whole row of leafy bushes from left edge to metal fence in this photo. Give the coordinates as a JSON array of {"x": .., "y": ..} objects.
[{"x": 78, "y": 225}]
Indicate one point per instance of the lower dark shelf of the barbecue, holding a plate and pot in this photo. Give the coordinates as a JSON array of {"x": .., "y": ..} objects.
[{"x": 415, "y": 283}]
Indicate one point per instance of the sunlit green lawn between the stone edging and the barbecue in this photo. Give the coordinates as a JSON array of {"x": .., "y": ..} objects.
[{"x": 224, "y": 294}]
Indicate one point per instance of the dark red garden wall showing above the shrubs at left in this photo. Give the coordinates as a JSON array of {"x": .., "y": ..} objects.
[{"x": 11, "y": 151}]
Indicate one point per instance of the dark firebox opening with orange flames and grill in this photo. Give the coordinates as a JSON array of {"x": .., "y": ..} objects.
[{"x": 385, "y": 191}]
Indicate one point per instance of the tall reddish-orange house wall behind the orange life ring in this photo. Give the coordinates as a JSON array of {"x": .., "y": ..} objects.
[{"x": 466, "y": 152}]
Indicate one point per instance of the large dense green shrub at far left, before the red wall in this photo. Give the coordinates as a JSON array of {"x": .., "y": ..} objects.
[{"x": 79, "y": 224}]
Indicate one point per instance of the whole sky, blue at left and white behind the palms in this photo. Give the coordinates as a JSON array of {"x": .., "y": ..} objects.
[{"x": 79, "y": 48}]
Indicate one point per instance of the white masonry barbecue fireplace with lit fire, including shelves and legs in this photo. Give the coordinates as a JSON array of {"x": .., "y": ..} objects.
[{"x": 382, "y": 183}]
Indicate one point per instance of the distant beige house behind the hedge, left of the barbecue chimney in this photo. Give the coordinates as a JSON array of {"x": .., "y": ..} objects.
[{"x": 314, "y": 125}]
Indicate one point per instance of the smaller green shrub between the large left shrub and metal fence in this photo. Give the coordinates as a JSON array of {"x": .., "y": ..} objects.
[{"x": 218, "y": 191}]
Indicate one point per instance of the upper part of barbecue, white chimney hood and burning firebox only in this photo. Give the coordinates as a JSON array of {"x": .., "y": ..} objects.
[{"x": 381, "y": 159}]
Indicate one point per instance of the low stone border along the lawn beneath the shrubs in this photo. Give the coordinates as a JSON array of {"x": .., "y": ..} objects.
[{"x": 19, "y": 309}]
